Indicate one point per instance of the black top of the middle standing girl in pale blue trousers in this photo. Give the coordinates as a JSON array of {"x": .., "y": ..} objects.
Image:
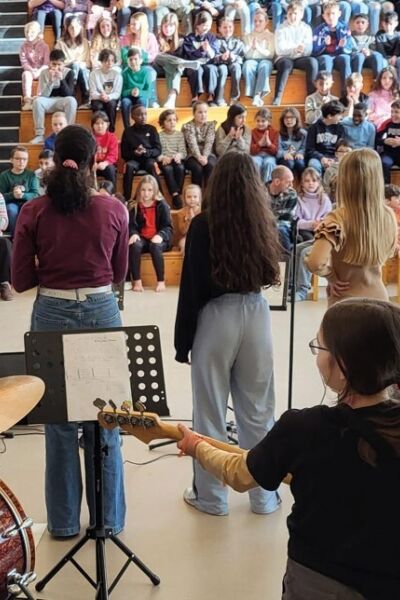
[{"x": 197, "y": 286}]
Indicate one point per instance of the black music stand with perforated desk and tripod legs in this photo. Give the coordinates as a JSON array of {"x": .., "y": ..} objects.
[{"x": 45, "y": 357}]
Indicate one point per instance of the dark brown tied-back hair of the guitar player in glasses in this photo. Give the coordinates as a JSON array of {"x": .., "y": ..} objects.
[{"x": 363, "y": 336}]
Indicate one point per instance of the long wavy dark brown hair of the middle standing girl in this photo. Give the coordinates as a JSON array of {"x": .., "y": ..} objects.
[{"x": 244, "y": 244}]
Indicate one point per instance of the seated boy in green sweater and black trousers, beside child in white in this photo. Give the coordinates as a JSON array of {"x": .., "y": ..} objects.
[{"x": 136, "y": 85}]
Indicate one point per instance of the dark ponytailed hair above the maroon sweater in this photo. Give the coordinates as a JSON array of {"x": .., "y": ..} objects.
[{"x": 68, "y": 188}]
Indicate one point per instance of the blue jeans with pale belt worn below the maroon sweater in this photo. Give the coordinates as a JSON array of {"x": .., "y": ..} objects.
[{"x": 63, "y": 471}]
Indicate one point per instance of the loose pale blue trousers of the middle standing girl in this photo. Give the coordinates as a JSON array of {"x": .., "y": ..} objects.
[{"x": 232, "y": 354}]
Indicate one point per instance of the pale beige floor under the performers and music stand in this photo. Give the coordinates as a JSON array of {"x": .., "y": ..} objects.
[{"x": 197, "y": 556}]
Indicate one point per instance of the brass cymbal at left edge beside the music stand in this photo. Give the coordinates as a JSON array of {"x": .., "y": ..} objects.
[{"x": 18, "y": 395}]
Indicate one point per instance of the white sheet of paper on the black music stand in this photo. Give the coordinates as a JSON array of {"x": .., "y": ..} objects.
[{"x": 96, "y": 366}]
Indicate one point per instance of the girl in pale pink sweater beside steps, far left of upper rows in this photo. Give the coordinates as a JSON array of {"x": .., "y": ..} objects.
[{"x": 34, "y": 57}]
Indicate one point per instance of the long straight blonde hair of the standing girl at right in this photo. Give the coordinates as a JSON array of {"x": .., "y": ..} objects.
[{"x": 368, "y": 225}]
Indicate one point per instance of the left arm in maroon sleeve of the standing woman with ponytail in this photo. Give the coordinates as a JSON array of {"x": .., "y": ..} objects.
[{"x": 23, "y": 267}]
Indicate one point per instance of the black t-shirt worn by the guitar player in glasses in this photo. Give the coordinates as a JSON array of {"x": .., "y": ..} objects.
[{"x": 345, "y": 522}]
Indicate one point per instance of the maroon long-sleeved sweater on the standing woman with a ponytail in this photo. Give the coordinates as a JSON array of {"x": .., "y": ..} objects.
[{"x": 86, "y": 249}]
